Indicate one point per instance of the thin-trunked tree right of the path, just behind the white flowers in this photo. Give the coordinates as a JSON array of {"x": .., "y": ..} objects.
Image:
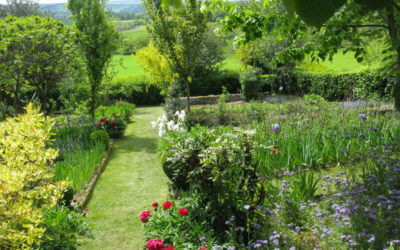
[{"x": 178, "y": 33}]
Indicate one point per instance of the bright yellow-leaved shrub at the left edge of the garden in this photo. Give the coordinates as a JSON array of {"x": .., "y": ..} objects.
[{"x": 26, "y": 179}]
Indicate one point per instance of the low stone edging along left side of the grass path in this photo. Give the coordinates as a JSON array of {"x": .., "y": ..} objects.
[{"x": 83, "y": 197}]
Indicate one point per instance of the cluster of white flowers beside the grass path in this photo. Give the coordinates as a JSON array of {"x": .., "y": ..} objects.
[{"x": 164, "y": 125}]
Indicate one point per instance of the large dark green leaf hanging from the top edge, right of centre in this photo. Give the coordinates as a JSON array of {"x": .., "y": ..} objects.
[{"x": 316, "y": 12}]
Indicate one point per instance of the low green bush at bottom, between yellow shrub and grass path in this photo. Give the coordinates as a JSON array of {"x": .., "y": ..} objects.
[{"x": 63, "y": 227}]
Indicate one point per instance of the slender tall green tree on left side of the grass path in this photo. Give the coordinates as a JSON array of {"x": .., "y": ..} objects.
[{"x": 98, "y": 39}]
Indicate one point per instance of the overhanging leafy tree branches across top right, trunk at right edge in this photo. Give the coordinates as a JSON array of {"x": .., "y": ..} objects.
[{"x": 335, "y": 22}]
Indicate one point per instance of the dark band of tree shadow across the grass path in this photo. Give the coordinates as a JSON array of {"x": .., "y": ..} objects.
[{"x": 133, "y": 143}]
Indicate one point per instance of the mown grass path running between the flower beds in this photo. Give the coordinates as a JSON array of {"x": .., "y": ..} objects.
[{"x": 132, "y": 180}]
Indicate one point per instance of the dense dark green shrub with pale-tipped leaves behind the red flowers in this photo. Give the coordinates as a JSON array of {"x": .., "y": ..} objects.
[{"x": 216, "y": 166}]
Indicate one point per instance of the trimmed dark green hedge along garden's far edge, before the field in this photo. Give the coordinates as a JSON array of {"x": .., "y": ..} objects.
[{"x": 333, "y": 87}]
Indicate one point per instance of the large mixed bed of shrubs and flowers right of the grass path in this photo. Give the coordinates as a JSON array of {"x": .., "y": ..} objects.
[{"x": 258, "y": 184}]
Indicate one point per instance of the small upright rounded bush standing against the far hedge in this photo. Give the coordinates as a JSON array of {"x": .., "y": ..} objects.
[{"x": 251, "y": 83}]
